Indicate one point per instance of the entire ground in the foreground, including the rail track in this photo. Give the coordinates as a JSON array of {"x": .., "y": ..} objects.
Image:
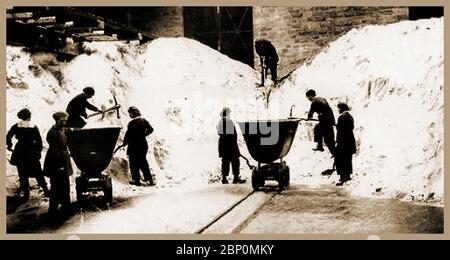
[{"x": 298, "y": 210}]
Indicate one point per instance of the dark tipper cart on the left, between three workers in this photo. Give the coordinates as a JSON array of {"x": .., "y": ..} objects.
[{"x": 92, "y": 150}]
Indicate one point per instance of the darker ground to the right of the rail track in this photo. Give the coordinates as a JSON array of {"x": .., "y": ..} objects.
[{"x": 328, "y": 209}]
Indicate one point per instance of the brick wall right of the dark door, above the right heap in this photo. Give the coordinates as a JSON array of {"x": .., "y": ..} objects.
[{"x": 299, "y": 33}]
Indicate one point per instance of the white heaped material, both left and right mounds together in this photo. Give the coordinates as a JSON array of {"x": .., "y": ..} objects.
[{"x": 391, "y": 76}]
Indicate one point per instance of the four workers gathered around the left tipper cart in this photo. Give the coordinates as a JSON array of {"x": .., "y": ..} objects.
[{"x": 26, "y": 154}]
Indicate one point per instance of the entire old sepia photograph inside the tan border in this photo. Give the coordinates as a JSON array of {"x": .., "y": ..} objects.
[{"x": 263, "y": 120}]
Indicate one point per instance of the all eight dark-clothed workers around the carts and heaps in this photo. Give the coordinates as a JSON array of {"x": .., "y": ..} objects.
[{"x": 26, "y": 154}]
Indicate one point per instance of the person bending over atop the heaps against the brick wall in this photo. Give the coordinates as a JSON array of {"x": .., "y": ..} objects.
[{"x": 269, "y": 57}]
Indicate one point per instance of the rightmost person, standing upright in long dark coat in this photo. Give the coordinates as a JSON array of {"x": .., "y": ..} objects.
[{"x": 345, "y": 144}]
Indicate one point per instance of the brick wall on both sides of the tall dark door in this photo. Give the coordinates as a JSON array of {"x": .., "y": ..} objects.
[{"x": 298, "y": 33}]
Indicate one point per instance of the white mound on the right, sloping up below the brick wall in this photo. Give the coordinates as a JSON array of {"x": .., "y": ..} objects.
[{"x": 392, "y": 77}]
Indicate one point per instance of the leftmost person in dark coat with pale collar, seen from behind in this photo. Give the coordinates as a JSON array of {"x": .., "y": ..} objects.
[{"x": 27, "y": 152}]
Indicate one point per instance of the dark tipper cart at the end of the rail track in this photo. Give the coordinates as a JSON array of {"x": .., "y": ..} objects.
[{"x": 268, "y": 143}]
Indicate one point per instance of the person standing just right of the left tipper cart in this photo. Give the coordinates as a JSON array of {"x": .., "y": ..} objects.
[{"x": 135, "y": 137}]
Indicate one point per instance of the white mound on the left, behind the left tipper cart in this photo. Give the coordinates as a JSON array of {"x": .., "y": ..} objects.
[{"x": 179, "y": 85}]
